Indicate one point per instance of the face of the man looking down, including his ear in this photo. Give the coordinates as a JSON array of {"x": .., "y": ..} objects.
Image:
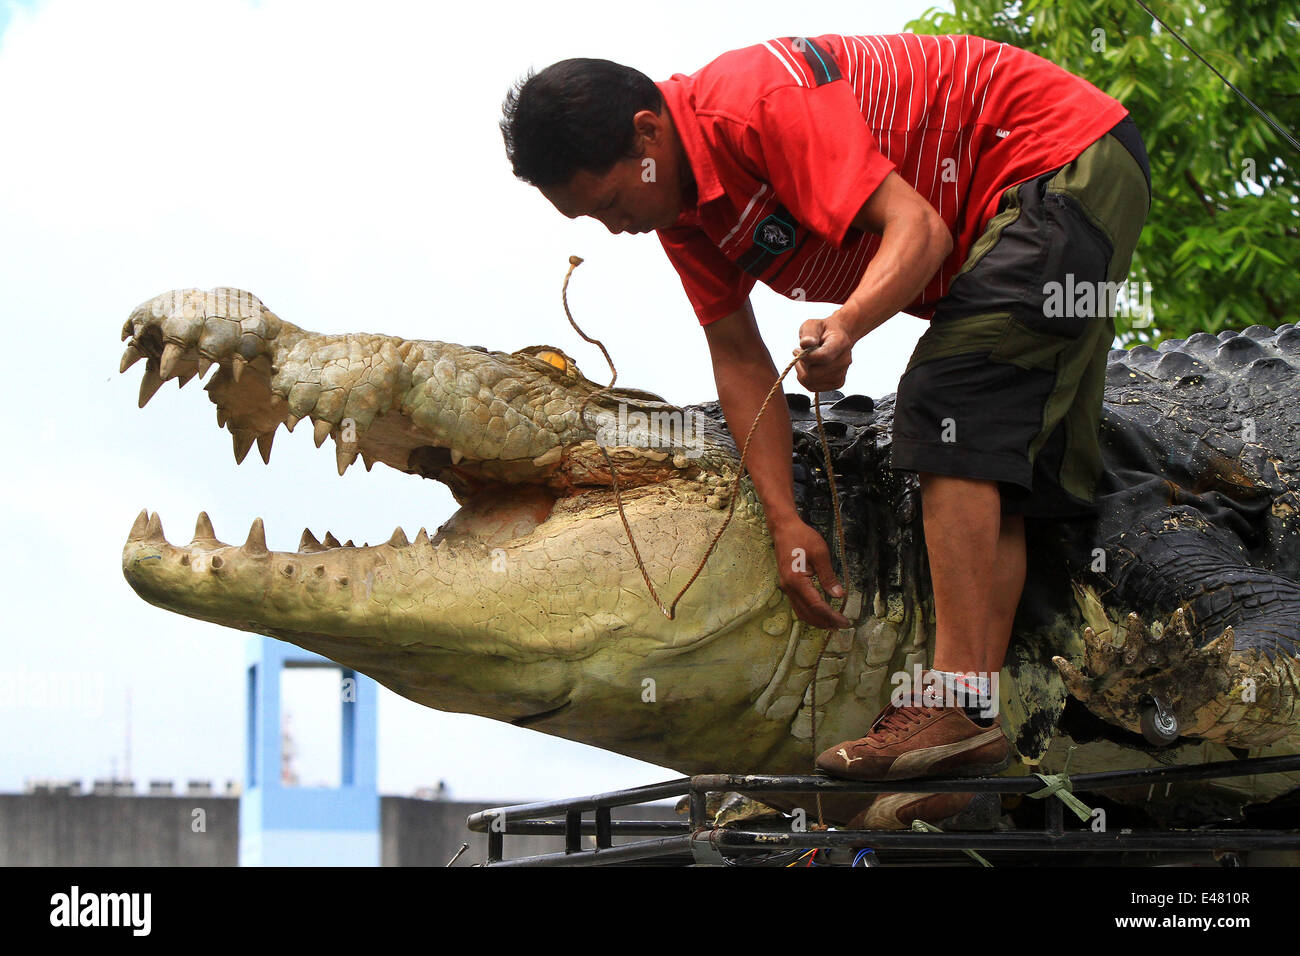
[{"x": 635, "y": 196}]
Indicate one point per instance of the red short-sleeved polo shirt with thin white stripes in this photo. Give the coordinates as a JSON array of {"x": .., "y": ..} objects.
[{"x": 788, "y": 140}]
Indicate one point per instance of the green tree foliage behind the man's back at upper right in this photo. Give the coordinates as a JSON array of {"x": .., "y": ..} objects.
[{"x": 1221, "y": 248}]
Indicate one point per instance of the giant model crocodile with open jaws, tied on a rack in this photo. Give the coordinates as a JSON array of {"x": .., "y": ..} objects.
[{"x": 1163, "y": 631}]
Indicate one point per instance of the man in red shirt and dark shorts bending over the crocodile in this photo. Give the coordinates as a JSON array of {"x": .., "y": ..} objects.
[{"x": 950, "y": 178}]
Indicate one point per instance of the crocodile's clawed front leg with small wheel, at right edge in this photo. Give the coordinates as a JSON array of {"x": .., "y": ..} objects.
[{"x": 1219, "y": 663}]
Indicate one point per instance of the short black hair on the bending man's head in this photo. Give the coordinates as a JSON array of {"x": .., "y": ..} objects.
[{"x": 574, "y": 116}]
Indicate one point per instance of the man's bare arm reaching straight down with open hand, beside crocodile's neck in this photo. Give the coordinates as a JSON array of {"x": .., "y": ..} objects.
[{"x": 744, "y": 373}]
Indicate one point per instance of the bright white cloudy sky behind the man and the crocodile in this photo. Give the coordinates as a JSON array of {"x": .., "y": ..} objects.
[{"x": 344, "y": 163}]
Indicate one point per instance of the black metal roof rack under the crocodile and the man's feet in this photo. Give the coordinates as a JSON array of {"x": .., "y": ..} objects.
[{"x": 700, "y": 842}]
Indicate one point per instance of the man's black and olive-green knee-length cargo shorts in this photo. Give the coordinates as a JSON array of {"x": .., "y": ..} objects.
[{"x": 1007, "y": 383}]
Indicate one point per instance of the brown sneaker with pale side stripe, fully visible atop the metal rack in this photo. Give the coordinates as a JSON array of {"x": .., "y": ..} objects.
[{"x": 913, "y": 742}]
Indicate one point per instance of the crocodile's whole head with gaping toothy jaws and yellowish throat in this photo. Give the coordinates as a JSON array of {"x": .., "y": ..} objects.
[{"x": 528, "y": 604}]
